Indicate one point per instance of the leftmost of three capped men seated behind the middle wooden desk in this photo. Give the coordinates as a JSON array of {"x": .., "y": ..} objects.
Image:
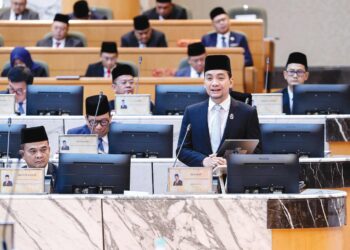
[{"x": 60, "y": 37}]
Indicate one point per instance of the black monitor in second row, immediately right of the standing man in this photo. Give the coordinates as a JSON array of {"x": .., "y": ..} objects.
[{"x": 293, "y": 138}]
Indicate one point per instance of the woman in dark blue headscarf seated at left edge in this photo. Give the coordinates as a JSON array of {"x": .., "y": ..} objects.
[{"x": 21, "y": 57}]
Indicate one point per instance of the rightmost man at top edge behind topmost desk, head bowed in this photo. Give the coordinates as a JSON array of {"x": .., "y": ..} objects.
[{"x": 165, "y": 9}]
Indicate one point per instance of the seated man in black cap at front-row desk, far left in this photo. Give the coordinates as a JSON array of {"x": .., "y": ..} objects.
[{"x": 35, "y": 149}]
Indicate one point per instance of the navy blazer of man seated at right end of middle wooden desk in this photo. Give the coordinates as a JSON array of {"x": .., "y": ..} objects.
[{"x": 236, "y": 40}]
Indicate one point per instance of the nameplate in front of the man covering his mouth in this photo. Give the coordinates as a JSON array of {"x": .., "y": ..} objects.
[{"x": 78, "y": 144}]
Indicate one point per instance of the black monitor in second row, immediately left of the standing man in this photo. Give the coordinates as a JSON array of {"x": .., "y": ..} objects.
[{"x": 141, "y": 140}]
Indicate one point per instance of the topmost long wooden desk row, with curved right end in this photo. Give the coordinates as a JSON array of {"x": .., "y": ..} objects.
[{"x": 112, "y": 30}]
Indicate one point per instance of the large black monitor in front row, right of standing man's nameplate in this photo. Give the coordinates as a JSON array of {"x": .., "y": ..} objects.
[{"x": 254, "y": 173}]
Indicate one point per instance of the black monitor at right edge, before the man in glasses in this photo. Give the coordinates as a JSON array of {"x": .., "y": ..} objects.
[{"x": 321, "y": 99}]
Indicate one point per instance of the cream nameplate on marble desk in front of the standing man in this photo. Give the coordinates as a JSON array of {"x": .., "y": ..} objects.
[{"x": 190, "y": 180}]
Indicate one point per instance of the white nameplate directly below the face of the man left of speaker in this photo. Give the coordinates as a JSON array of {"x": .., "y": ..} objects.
[{"x": 137, "y": 104}]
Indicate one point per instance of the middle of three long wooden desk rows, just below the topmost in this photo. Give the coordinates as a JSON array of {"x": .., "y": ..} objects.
[{"x": 74, "y": 61}]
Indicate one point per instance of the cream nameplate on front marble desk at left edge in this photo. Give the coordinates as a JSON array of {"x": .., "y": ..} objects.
[{"x": 22, "y": 180}]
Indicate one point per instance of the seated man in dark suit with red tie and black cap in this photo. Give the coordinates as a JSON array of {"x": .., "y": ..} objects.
[{"x": 109, "y": 57}]
